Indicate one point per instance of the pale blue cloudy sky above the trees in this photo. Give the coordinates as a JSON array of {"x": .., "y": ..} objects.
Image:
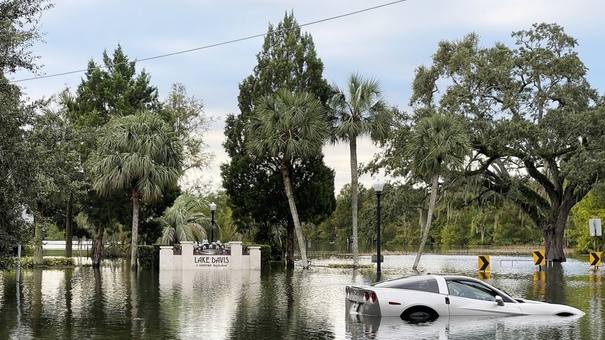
[{"x": 211, "y": 47}]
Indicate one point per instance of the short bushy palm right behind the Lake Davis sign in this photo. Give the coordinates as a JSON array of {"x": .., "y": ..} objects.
[{"x": 186, "y": 220}]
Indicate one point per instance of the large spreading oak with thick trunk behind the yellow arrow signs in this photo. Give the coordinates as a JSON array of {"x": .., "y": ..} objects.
[{"x": 536, "y": 124}]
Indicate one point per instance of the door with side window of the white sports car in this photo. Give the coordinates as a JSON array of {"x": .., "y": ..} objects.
[{"x": 472, "y": 298}]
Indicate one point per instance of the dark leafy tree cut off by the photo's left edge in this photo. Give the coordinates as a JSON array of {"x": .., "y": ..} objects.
[{"x": 18, "y": 31}]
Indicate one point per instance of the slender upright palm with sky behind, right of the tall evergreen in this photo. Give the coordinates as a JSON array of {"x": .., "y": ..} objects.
[{"x": 358, "y": 112}]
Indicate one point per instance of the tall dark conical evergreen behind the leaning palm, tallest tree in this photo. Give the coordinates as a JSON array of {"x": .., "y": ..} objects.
[{"x": 255, "y": 187}]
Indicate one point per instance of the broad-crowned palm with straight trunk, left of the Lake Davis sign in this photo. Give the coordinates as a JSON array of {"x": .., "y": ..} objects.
[{"x": 139, "y": 152}]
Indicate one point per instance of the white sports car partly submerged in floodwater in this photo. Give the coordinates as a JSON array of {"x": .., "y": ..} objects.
[{"x": 423, "y": 298}]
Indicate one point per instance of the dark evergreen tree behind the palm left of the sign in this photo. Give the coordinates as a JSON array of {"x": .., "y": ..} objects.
[{"x": 115, "y": 90}]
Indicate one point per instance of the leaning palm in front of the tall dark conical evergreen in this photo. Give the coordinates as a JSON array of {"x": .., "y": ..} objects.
[{"x": 291, "y": 127}]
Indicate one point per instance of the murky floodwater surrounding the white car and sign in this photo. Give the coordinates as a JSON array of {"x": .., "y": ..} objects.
[{"x": 116, "y": 303}]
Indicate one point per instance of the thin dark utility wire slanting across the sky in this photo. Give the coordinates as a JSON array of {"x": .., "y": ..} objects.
[{"x": 216, "y": 44}]
